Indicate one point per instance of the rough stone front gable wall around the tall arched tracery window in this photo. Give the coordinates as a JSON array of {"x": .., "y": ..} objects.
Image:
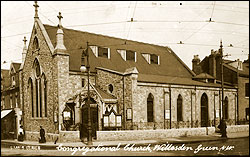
[{"x": 45, "y": 59}]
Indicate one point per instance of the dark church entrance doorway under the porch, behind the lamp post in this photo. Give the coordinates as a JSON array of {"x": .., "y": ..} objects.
[{"x": 93, "y": 118}]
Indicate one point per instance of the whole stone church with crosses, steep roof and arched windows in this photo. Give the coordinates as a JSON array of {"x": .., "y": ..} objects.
[{"x": 133, "y": 86}]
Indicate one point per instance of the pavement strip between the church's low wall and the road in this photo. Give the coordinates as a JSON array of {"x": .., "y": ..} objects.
[{"x": 174, "y": 140}]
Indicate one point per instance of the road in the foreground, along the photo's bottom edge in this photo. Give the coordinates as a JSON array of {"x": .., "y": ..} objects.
[{"x": 238, "y": 146}]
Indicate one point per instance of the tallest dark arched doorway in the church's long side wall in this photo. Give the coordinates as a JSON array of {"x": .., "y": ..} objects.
[{"x": 204, "y": 110}]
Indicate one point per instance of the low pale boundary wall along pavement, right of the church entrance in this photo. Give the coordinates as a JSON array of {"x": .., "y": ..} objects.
[{"x": 152, "y": 134}]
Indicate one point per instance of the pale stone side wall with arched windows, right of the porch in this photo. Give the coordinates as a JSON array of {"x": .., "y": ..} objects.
[{"x": 161, "y": 95}]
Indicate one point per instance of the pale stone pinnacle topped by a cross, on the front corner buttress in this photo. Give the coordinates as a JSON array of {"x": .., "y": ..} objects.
[{"x": 59, "y": 36}]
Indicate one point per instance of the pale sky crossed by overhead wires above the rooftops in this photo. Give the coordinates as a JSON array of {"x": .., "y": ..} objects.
[{"x": 165, "y": 23}]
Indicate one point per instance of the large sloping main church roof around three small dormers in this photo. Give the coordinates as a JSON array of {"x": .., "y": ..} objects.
[{"x": 170, "y": 64}]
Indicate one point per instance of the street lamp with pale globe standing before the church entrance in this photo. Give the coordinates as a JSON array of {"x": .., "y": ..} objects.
[{"x": 84, "y": 68}]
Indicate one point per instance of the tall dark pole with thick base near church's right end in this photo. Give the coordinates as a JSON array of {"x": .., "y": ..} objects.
[{"x": 223, "y": 125}]
